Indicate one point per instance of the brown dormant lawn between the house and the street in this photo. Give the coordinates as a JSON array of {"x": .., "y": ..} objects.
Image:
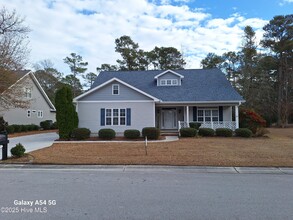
[{"x": 274, "y": 150}]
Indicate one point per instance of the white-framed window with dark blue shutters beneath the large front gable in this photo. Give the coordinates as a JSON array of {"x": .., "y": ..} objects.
[{"x": 116, "y": 116}]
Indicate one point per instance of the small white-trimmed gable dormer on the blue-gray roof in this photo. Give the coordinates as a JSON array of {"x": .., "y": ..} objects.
[{"x": 169, "y": 78}]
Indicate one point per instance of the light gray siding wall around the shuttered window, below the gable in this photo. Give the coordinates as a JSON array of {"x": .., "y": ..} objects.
[{"x": 142, "y": 115}]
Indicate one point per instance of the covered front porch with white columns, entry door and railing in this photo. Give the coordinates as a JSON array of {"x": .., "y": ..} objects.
[{"x": 172, "y": 118}]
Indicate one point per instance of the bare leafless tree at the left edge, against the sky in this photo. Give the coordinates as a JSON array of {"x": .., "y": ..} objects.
[{"x": 13, "y": 57}]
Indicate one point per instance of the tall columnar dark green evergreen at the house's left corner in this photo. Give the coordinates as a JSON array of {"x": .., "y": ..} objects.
[{"x": 66, "y": 115}]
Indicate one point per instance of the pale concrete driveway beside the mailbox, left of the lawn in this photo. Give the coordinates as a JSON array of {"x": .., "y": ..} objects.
[{"x": 32, "y": 142}]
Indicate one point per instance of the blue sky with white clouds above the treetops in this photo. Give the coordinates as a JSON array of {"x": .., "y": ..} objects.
[{"x": 90, "y": 27}]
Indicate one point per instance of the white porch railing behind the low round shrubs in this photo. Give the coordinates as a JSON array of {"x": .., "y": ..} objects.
[{"x": 211, "y": 124}]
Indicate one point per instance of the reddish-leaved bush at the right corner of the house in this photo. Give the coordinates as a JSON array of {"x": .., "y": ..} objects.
[{"x": 251, "y": 120}]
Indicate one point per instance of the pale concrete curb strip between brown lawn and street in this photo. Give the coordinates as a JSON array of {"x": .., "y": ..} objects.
[{"x": 151, "y": 168}]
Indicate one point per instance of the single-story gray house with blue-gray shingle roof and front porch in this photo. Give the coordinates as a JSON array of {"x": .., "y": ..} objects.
[{"x": 167, "y": 99}]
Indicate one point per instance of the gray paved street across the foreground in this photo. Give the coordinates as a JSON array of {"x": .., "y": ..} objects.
[{"x": 133, "y": 192}]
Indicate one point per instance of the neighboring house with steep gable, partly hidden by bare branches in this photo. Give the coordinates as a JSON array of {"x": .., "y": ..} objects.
[{"x": 40, "y": 108}]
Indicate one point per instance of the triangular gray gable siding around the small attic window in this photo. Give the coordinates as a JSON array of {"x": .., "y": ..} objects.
[{"x": 105, "y": 93}]
